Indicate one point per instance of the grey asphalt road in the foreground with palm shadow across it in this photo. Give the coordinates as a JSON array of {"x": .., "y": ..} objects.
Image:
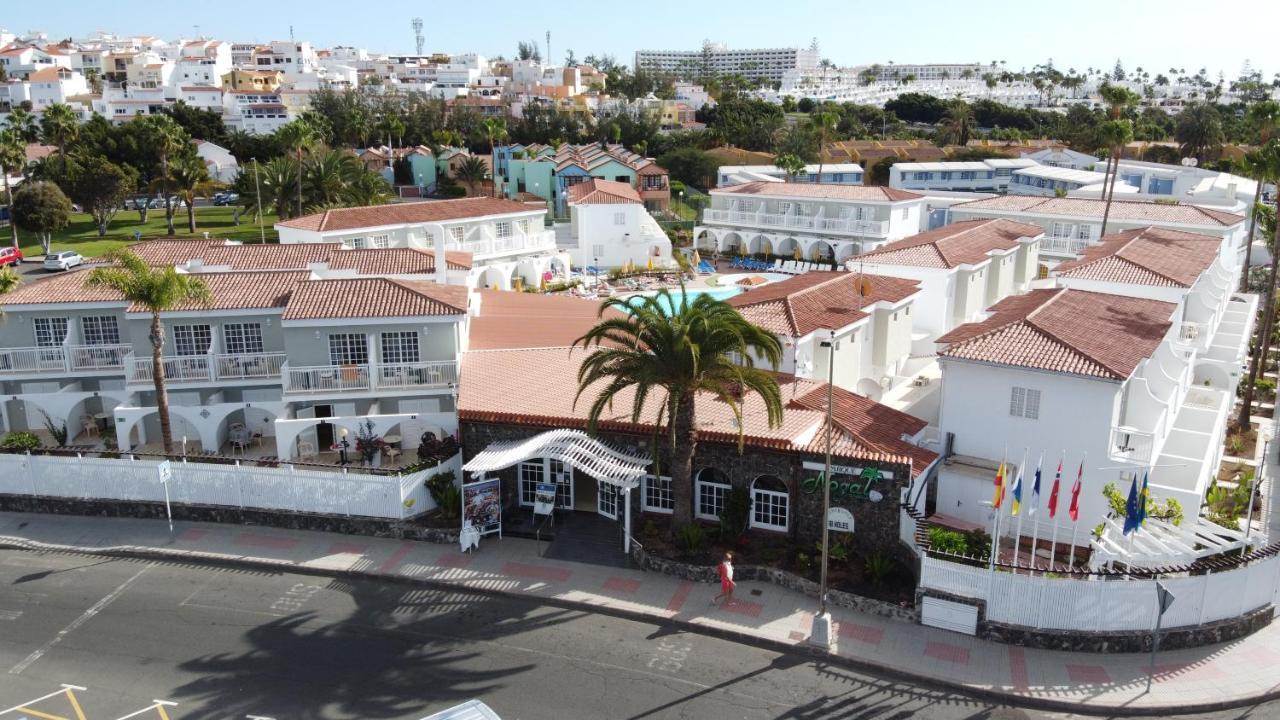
[{"x": 227, "y": 644}]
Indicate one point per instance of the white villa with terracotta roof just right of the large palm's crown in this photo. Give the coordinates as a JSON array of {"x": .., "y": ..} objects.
[{"x": 870, "y": 317}]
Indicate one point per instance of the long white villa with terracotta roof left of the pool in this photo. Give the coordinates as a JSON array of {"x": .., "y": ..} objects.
[{"x": 509, "y": 241}]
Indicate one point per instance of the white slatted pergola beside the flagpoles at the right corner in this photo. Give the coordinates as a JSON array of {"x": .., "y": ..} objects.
[{"x": 1163, "y": 545}]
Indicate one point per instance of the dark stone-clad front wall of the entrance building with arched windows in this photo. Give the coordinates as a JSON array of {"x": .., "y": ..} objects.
[{"x": 876, "y": 523}]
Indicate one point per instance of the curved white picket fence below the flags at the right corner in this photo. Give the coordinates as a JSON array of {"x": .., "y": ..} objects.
[{"x": 1067, "y": 604}]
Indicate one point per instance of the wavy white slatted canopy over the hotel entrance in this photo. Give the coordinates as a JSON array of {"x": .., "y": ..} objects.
[{"x": 573, "y": 448}]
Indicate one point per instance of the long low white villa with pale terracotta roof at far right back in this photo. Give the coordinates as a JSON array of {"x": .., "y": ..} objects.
[{"x": 1075, "y": 224}]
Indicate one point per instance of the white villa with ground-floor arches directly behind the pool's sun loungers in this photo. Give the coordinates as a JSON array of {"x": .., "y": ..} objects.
[{"x": 816, "y": 222}]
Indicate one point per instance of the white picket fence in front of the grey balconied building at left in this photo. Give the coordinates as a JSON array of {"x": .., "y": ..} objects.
[{"x": 228, "y": 486}]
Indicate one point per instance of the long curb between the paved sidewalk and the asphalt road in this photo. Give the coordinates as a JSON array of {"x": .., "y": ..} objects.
[{"x": 248, "y": 563}]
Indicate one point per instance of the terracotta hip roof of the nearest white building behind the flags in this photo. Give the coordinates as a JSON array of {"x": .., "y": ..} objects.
[{"x": 1066, "y": 331}]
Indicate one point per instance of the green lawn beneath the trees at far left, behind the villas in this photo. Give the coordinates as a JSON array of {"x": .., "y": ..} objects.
[{"x": 81, "y": 235}]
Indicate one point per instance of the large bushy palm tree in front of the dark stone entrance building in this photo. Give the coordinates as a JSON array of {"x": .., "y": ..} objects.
[{"x": 678, "y": 350}]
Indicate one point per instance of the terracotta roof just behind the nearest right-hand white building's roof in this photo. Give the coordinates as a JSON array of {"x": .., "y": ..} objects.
[{"x": 1154, "y": 257}]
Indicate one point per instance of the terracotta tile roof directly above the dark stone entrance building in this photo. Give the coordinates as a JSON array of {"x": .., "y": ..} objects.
[{"x": 496, "y": 389}]
